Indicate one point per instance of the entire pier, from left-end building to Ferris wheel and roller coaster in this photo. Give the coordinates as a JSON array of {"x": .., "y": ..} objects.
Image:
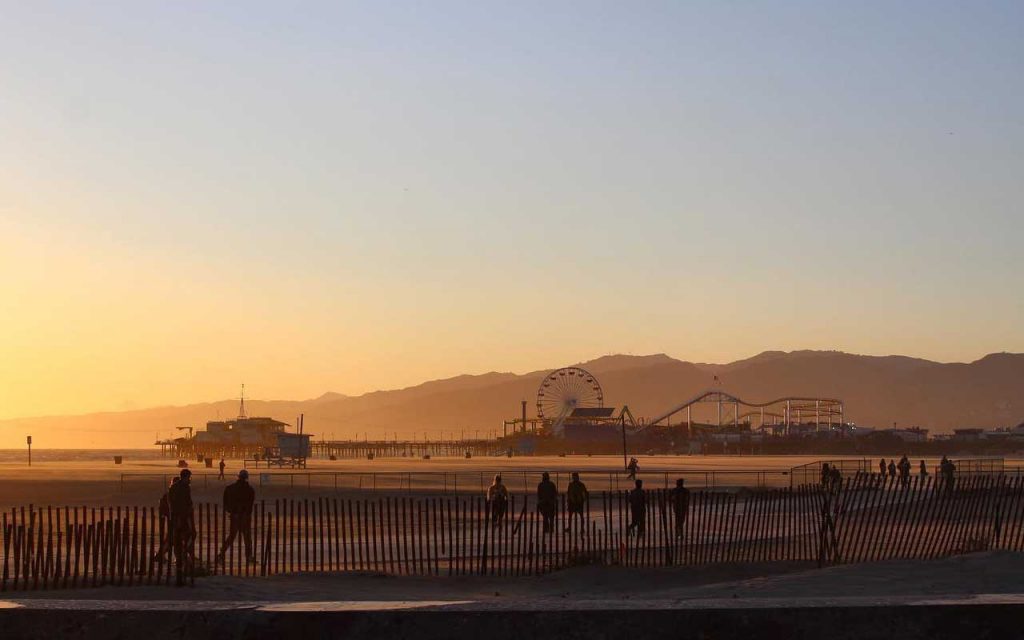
[{"x": 570, "y": 406}]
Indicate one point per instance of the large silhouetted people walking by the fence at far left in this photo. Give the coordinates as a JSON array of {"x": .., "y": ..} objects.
[{"x": 177, "y": 509}]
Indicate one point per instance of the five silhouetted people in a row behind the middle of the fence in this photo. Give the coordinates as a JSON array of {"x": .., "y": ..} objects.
[{"x": 577, "y": 499}]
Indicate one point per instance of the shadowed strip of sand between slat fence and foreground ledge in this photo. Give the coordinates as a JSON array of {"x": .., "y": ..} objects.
[{"x": 991, "y": 573}]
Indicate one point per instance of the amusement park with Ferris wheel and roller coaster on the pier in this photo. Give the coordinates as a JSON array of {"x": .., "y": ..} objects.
[{"x": 573, "y": 398}]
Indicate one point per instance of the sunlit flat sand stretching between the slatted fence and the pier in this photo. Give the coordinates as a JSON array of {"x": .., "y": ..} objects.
[{"x": 101, "y": 483}]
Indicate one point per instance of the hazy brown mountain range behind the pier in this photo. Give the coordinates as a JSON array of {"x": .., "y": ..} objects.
[{"x": 876, "y": 391}]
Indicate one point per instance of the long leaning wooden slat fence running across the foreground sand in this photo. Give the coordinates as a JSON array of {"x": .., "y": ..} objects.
[{"x": 866, "y": 519}]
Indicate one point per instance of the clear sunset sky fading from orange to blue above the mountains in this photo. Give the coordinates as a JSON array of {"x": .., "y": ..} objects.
[{"x": 313, "y": 197}]
